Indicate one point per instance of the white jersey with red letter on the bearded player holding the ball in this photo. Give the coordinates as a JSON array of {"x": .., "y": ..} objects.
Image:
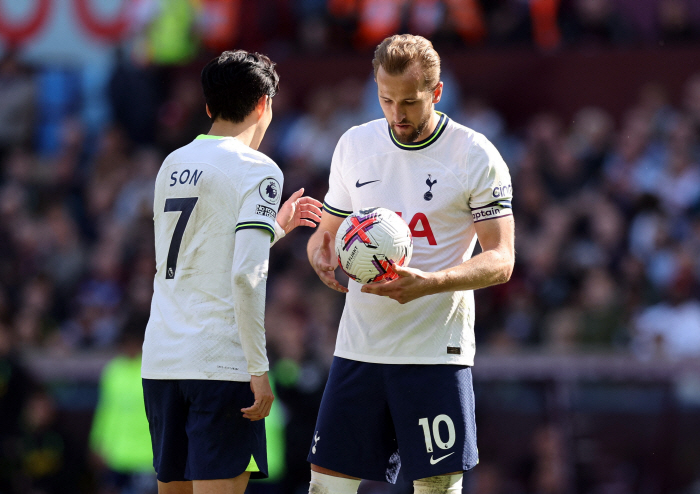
[{"x": 440, "y": 186}]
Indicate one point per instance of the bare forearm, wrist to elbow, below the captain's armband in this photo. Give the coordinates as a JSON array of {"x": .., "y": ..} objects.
[{"x": 491, "y": 267}]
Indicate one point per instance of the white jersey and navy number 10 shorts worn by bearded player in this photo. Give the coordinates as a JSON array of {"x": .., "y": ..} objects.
[{"x": 407, "y": 367}]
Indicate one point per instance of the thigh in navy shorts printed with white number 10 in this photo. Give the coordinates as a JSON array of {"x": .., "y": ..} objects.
[{"x": 433, "y": 411}]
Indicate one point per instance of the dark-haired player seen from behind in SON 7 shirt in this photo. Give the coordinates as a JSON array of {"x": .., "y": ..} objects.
[{"x": 205, "y": 366}]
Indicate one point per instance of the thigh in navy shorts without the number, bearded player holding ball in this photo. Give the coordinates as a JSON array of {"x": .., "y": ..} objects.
[{"x": 354, "y": 434}]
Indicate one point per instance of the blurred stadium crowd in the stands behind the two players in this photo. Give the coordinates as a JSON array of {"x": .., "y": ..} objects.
[{"x": 607, "y": 216}]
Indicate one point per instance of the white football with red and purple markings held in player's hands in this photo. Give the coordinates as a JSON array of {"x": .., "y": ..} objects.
[{"x": 370, "y": 241}]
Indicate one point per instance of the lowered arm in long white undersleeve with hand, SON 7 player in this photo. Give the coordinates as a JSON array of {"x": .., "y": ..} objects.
[{"x": 248, "y": 280}]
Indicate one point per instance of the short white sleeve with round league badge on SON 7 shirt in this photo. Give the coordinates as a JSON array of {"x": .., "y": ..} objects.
[{"x": 261, "y": 196}]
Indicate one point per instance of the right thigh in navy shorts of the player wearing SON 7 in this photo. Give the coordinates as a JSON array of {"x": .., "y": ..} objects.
[{"x": 222, "y": 442}]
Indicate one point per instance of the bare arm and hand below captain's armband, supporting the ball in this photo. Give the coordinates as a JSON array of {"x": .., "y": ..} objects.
[{"x": 494, "y": 265}]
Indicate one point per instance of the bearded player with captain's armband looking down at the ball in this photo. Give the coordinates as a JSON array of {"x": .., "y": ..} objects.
[{"x": 399, "y": 395}]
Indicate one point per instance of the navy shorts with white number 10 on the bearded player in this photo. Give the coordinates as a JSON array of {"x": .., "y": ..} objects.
[{"x": 377, "y": 419}]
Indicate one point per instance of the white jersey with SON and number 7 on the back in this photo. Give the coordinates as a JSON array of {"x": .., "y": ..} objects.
[{"x": 204, "y": 192}]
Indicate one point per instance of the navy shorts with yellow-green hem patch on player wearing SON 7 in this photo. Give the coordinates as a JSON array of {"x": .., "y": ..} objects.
[{"x": 198, "y": 431}]
